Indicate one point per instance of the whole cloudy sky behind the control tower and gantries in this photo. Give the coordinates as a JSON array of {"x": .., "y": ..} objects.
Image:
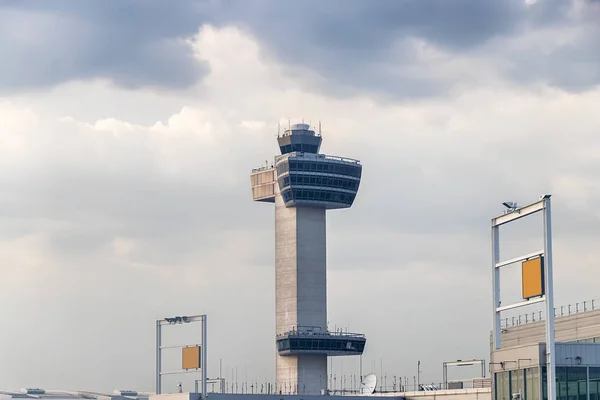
[{"x": 128, "y": 130}]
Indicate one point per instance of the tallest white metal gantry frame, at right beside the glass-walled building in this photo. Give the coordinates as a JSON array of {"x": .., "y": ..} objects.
[{"x": 547, "y": 296}]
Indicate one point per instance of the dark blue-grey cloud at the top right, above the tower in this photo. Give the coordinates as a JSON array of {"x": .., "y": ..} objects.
[{"x": 356, "y": 46}]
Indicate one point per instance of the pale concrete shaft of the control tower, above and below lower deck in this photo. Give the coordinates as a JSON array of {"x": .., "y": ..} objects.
[{"x": 301, "y": 291}]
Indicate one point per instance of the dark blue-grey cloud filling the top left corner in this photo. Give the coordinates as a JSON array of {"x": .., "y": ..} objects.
[{"x": 131, "y": 43}]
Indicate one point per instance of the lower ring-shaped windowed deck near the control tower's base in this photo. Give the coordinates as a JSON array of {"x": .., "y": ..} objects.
[{"x": 315, "y": 341}]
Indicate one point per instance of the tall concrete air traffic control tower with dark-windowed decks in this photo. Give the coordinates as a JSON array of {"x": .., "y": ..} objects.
[{"x": 304, "y": 184}]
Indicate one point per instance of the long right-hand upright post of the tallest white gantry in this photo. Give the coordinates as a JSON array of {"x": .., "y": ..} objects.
[{"x": 548, "y": 277}]
